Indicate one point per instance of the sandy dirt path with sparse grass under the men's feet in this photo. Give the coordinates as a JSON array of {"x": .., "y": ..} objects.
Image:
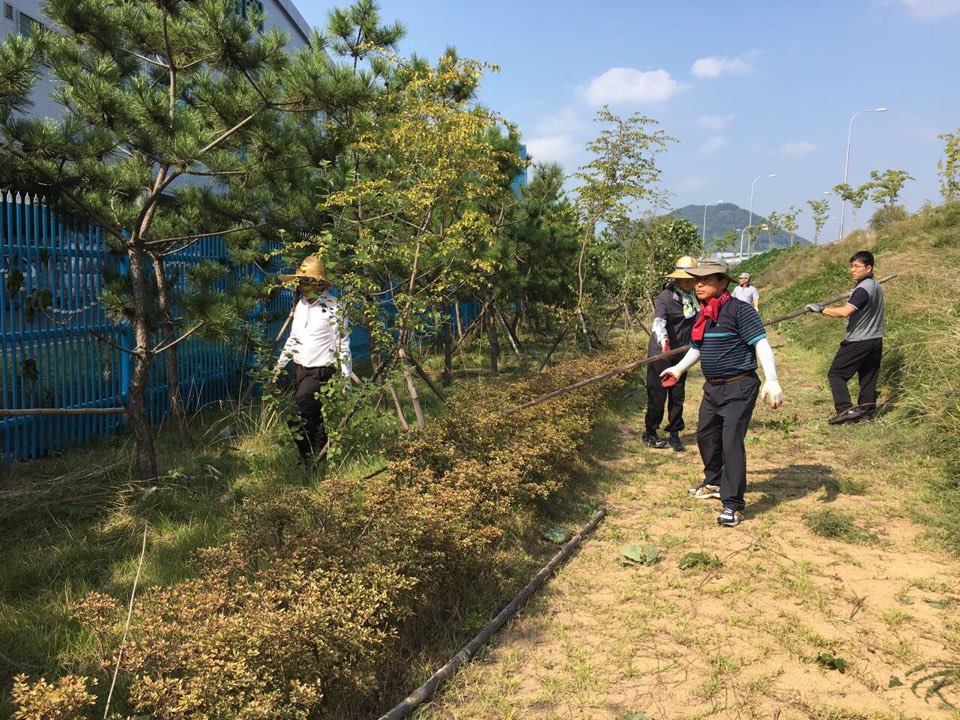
[{"x": 741, "y": 640}]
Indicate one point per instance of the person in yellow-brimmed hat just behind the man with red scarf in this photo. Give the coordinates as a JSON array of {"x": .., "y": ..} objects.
[{"x": 674, "y": 310}]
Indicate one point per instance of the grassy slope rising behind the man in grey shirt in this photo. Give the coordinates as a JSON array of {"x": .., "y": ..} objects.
[{"x": 921, "y": 369}]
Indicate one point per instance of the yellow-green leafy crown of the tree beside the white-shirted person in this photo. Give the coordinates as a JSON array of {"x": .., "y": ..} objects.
[{"x": 420, "y": 209}]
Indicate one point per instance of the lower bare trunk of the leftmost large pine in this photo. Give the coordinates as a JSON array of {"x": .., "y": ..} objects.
[{"x": 136, "y": 393}]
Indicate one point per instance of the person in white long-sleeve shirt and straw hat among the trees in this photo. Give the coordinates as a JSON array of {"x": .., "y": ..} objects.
[{"x": 319, "y": 347}]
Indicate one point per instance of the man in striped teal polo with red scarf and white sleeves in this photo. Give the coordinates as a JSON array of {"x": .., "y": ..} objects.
[{"x": 727, "y": 339}]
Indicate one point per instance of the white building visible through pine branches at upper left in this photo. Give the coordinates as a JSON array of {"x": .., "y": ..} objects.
[{"x": 24, "y": 16}]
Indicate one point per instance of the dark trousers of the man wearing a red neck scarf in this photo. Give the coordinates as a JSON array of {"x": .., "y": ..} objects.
[{"x": 725, "y": 413}]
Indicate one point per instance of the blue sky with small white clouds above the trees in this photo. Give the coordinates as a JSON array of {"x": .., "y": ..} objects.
[{"x": 748, "y": 88}]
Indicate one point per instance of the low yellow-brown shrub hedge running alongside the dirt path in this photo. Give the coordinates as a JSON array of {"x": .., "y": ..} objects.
[{"x": 293, "y": 617}]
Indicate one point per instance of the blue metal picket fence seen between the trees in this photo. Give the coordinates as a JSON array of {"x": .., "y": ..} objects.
[{"x": 52, "y": 277}]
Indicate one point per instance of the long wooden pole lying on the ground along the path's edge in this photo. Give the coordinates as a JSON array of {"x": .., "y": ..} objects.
[{"x": 423, "y": 693}]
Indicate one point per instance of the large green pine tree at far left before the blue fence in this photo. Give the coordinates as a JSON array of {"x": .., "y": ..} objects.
[{"x": 174, "y": 128}]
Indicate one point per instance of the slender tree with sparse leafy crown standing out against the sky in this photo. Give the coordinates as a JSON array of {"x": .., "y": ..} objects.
[{"x": 622, "y": 175}]
